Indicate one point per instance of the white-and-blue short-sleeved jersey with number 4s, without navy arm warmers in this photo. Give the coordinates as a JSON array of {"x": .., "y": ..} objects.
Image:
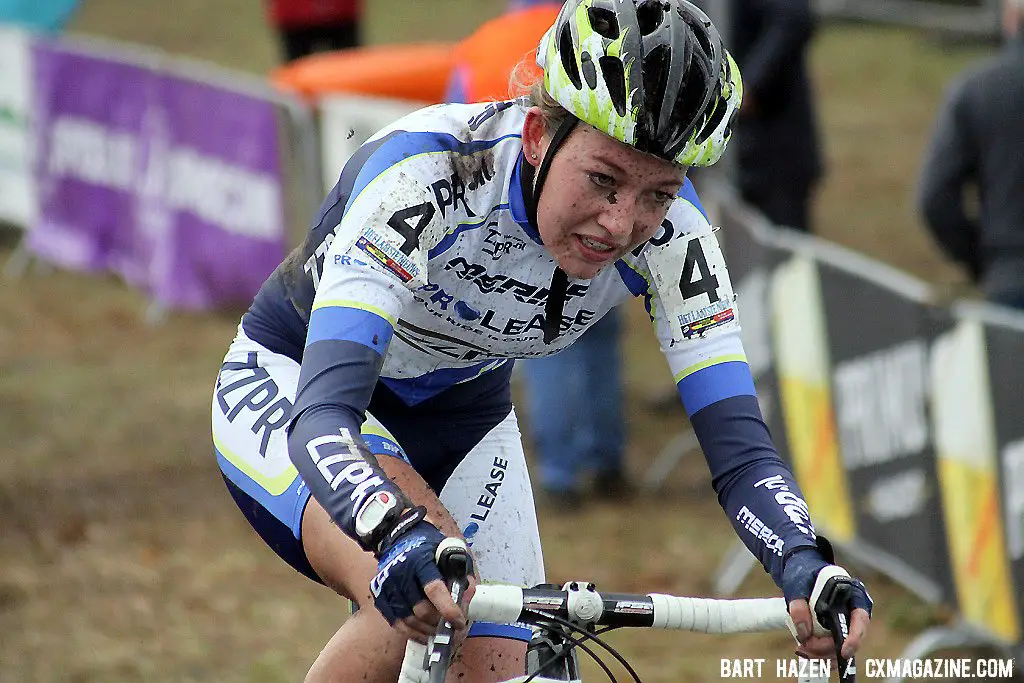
[{"x": 436, "y": 241}]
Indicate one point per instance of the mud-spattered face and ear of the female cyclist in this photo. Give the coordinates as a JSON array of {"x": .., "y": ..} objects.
[{"x": 602, "y": 197}]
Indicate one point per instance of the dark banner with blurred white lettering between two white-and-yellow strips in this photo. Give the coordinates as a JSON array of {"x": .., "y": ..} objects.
[{"x": 879, "y": 347}]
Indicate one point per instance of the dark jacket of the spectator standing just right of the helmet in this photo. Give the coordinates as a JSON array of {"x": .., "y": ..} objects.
[{"x": 777, "y": 137}]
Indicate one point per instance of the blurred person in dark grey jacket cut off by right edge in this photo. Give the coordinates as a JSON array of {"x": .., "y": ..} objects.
[{"x": 971, "y": 190}]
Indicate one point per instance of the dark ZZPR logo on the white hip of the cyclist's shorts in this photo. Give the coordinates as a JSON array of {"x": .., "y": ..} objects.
[{"x": 261, "y": 398}]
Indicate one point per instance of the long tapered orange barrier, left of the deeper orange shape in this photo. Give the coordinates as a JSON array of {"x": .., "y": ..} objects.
[{"x": 418, "y": 72}]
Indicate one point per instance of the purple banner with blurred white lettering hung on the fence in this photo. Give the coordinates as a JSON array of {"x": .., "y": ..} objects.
[{"x": 175, "y": 185}]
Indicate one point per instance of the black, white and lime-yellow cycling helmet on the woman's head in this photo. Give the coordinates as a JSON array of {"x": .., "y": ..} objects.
[{"x": 651, "y": 73}]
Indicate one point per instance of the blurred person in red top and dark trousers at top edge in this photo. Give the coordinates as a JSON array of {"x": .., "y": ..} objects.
[{"x": 307, "y": 27}]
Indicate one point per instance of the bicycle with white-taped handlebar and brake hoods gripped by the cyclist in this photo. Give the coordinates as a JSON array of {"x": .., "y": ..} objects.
[{"x": 565, "y": 621}]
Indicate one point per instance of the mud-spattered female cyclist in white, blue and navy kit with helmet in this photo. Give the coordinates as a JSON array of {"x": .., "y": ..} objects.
[{"x": 364, "y": 410}]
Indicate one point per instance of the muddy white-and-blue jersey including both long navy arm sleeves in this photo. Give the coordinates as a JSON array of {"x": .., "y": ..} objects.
[{"x": 423, "y": 273}]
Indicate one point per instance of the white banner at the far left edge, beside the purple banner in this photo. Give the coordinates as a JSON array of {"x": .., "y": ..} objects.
[{"x": 18, "y": 192}]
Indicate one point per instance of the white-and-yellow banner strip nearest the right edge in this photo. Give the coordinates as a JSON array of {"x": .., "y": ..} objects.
[{"x": 966, "y": 445}]
